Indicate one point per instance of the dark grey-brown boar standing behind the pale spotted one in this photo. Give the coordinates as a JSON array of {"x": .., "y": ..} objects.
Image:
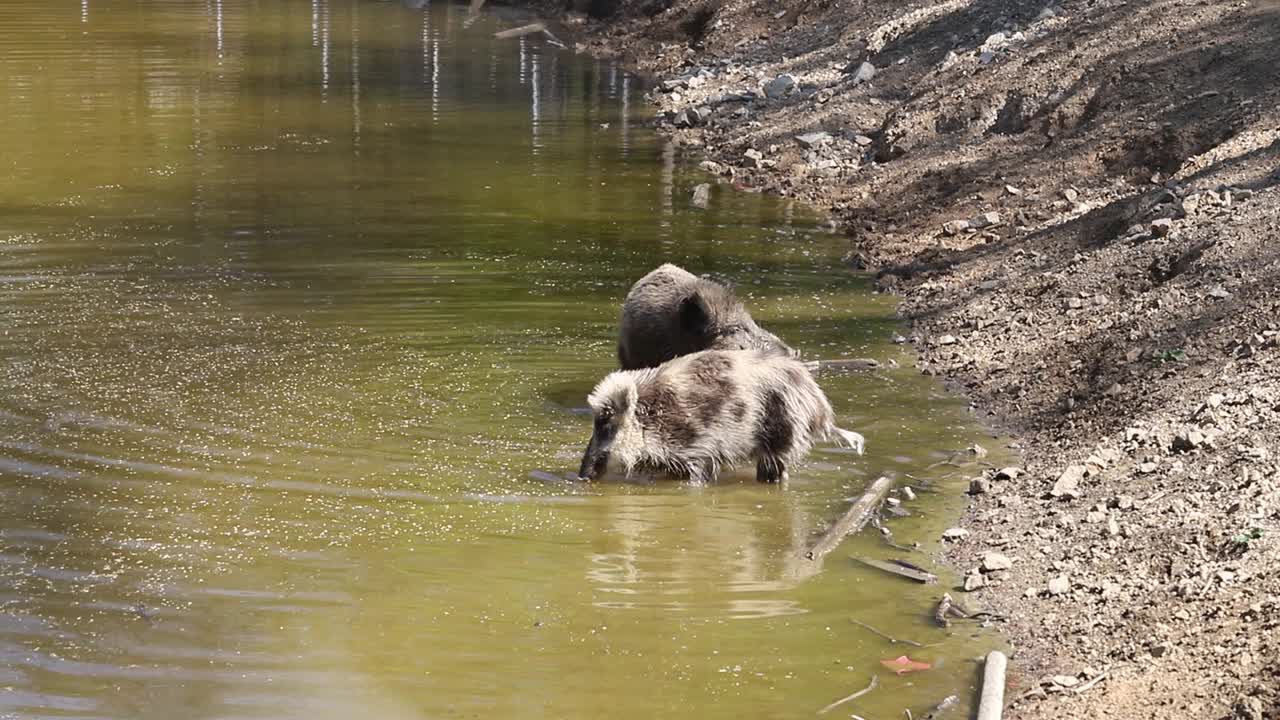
[{"x": 670, "y": 313}]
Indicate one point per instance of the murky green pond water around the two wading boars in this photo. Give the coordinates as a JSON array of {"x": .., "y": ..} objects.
[{"x": 296, "y": 303}]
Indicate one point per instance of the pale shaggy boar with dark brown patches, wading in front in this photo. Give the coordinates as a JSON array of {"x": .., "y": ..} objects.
[{"x": 700, "y": 413}]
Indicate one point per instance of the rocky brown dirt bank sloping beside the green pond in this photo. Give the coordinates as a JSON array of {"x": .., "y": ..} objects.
[{"x": 1080, "y": 206}]
